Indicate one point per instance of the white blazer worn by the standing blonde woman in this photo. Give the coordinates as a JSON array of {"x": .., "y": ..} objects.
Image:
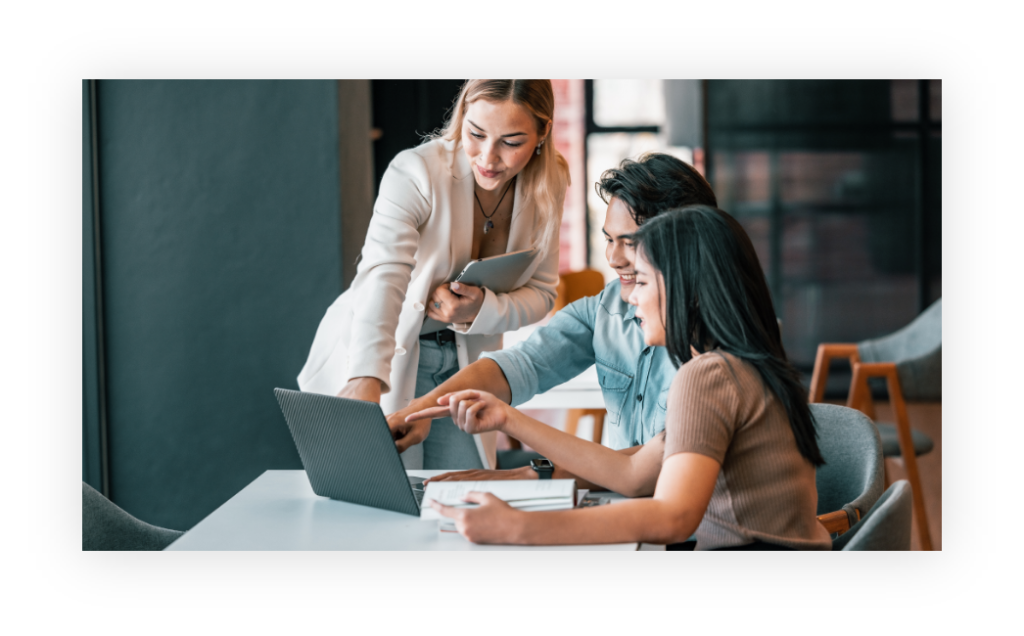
[{"x": 420, "y": 237}]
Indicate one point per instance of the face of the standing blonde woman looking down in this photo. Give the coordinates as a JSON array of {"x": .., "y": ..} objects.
[{"x": 499, "y": 139}]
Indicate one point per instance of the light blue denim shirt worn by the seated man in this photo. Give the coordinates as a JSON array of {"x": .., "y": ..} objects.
[{"x": 602, "y": 330}]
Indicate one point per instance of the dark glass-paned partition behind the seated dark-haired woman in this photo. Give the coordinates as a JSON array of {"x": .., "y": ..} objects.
[{"x": 839, "y": 184}]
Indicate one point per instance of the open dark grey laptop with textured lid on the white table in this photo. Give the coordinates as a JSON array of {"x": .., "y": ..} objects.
[{"x": 348, "y": 451}]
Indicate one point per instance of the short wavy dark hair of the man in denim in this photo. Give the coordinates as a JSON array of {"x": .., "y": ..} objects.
[{"x": 655, "y": 184}]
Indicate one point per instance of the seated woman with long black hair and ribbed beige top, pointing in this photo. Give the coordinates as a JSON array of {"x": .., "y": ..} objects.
[{"x": 737, "y": 465}]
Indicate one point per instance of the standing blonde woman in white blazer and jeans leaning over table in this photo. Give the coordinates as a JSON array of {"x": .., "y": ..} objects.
[{"x": 489, "y": 184}]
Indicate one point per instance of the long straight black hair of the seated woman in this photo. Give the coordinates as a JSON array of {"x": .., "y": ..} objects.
[{"x": 716, "y": 296}]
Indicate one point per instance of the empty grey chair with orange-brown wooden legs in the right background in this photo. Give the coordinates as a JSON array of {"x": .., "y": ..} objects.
[{"x": 911, "y": 361}]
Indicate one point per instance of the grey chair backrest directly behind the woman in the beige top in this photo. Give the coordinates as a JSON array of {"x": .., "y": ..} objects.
[{"x": 852, "y": 478}]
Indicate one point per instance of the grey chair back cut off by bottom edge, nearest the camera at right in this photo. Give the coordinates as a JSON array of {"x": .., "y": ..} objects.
[{"x": 887, "y": 527}]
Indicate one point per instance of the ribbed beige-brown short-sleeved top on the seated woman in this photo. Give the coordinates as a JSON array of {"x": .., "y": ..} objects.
[{"x": 719, "y": 407}]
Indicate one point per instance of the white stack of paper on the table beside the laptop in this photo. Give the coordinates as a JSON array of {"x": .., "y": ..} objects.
[{"x": 525, "y": 495}]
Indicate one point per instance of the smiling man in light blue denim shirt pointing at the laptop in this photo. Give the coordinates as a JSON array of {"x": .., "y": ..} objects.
[{"x": 602, "y": 330}]
